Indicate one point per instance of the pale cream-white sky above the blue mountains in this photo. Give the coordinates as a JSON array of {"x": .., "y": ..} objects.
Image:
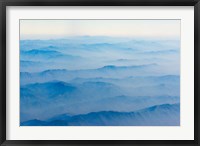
[{"x": 50, "y": 29}]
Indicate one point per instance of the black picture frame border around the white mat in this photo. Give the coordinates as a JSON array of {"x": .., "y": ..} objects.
[{"x": 5, "y": 3}]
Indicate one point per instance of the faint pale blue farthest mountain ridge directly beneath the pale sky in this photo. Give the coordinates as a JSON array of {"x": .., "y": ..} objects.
[{"x": 87, "y": 40}]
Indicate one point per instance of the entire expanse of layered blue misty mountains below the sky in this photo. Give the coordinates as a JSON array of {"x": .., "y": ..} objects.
[{"x": 99, "y": 80}]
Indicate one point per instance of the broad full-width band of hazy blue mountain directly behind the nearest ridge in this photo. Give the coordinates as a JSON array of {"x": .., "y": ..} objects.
[{"x": 88, "y": 96}]
